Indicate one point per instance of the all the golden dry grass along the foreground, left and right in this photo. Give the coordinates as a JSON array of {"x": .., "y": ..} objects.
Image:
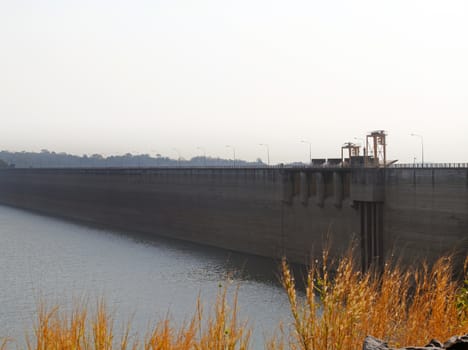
[{"x": 402, "y": 306}]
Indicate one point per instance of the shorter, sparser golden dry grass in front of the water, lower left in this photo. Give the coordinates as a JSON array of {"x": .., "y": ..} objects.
[{"x": 76, "y": 330}]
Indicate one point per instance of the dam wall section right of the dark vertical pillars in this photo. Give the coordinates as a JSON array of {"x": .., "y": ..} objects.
[{"x": 426, "y": 212}]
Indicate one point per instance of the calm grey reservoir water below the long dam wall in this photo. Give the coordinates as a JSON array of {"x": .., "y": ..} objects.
[{"x": 141, "y": 279}]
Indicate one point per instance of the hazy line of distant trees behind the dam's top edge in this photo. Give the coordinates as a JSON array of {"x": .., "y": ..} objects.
[{"x": 48, "y": 159}]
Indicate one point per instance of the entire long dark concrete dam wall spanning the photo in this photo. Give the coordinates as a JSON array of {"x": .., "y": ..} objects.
[{"x": 272, "y": 212}]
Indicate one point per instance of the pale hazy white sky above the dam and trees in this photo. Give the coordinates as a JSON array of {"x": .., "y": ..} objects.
[{"x": 102, "y": 76}]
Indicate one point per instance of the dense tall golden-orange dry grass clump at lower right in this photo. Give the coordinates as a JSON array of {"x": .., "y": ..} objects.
[{"x": 402, "y": 306}]
